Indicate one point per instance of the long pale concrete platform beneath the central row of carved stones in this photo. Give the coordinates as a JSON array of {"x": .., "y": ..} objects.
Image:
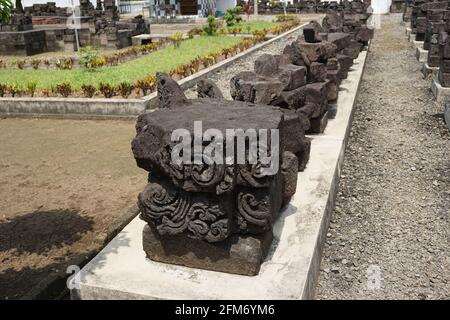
[{"x": 120, "y": 270}]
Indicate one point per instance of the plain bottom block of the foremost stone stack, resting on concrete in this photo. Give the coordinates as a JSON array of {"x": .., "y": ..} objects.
[{"x": 239, "y": 254}]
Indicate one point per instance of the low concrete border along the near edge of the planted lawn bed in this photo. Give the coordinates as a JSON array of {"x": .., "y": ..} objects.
[{"x": 102, "y": 108}]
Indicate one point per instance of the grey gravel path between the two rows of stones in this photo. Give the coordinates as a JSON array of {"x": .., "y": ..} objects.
[{"x": 389, "y": 236}]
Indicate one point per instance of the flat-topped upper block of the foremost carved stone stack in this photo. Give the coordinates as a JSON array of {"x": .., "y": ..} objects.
[{"x": 153, "y": 145}]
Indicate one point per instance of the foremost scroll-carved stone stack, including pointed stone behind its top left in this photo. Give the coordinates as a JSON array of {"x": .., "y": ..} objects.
[{"x": 222, "y": 209}]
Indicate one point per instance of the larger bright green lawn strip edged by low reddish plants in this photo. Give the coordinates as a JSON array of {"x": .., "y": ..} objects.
[{"x": 159, "y": 61}]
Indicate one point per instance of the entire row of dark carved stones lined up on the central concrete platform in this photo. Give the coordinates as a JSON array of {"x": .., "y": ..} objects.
[{"x": 218, "y": 215}]
